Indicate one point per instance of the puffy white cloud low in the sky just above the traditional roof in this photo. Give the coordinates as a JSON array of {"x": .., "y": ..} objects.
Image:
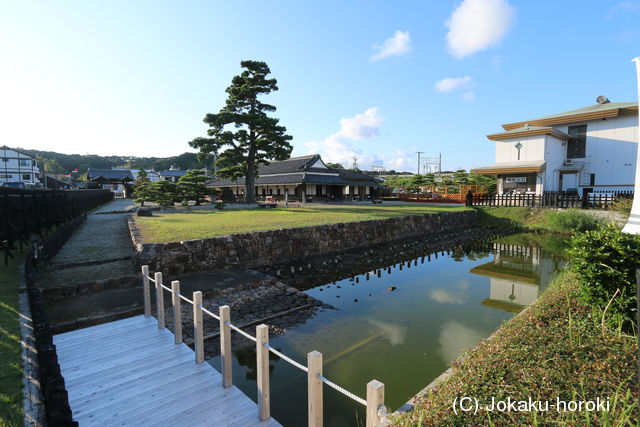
[{"x": 339, "y": 148}]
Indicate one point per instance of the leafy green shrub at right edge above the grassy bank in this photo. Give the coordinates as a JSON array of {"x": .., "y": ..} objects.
[{"x": 605, "y": 261}]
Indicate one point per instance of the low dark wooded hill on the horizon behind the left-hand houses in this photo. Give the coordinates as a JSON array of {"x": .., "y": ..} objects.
[{"x": 82, "y": 162}]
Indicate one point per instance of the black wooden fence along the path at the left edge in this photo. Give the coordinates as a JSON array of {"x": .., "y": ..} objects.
[{"x": 24, "y": 213}]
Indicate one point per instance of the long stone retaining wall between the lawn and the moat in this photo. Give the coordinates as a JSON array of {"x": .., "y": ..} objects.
[{"x": 267, "y": 247}]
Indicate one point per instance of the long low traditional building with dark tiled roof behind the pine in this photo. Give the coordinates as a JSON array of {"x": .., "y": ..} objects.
[{"x": 305, "y": 177}]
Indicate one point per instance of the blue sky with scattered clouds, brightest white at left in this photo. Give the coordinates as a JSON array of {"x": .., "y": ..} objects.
[{"x": 377, "y": 80}]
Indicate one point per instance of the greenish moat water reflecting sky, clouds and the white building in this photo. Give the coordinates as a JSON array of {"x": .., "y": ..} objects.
[{"x": 403, "y": 324}]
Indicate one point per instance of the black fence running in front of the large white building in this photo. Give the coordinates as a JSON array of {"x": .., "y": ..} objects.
[{"x": 555, "y": 199}]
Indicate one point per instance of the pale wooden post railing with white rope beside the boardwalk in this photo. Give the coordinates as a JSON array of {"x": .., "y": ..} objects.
[{"x": 375, "y": 409}]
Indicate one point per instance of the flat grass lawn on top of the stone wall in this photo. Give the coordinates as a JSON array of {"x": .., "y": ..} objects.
[{"x": 164, "y": 228}]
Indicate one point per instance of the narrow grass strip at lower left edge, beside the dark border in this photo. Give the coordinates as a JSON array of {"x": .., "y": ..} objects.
[{"x": 10, "y": 368}]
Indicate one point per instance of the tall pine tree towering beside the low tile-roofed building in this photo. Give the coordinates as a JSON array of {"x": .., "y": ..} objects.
[{"x": 242, "y": 128}]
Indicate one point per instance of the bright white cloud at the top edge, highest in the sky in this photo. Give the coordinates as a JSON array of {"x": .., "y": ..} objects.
[{"x": 476, "y": 25}]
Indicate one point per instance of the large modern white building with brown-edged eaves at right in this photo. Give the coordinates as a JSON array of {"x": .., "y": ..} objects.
[{"x": 591, "y": 149}]
